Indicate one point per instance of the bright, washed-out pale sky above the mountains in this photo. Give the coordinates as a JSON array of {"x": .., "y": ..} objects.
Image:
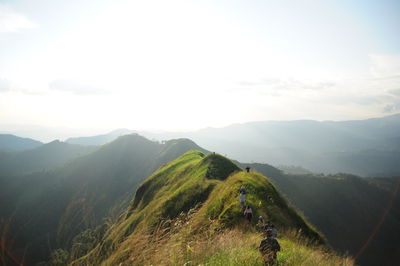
[{"x": 186, "y": 65}]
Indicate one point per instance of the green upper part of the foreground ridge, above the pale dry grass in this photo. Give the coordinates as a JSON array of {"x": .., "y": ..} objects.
[{"x": 181, "y": 189}]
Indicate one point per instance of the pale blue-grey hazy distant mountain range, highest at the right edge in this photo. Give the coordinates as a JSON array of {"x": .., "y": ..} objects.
[{"x": 368, "y": 147}]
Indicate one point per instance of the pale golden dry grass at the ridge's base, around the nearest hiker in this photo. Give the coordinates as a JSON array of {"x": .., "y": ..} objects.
[{"x": 173, "y": 243}]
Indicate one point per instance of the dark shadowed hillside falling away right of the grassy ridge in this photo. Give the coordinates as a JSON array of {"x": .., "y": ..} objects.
[{"x": 357, "y": 215}]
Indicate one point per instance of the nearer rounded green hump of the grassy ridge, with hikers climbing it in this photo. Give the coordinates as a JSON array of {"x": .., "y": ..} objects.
[{"x": 223, "y": 205}]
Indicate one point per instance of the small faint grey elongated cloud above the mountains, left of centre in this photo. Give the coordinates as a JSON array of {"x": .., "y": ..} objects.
[{"x": 74, "y": 87}]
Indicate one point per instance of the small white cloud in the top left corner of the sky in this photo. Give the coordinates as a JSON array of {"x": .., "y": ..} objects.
[{"x": 11, "y": 21}]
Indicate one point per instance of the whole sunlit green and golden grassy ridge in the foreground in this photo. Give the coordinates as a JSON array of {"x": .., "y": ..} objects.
[{"x": 191, "y": 201}]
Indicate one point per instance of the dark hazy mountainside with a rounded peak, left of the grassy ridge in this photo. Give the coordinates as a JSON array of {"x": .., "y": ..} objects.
[{"x": 51, "y": 207}]
